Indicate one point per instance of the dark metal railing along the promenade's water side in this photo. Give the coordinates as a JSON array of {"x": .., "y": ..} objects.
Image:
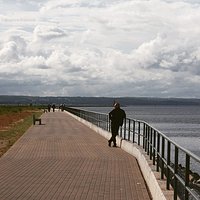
[{"x": 171, "y": 160}]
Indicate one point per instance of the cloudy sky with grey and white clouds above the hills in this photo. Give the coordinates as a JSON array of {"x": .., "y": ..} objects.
[{"x": 148, "y": 48}]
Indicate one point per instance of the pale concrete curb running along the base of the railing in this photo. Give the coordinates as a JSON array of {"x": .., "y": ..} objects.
[{"x": 157, "y": 187}]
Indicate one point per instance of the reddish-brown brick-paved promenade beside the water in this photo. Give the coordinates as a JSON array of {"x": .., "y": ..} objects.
[{"x": 63, "y": 159}]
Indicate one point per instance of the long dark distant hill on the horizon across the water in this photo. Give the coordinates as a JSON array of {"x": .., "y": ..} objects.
[{"x": 94, "y": 101}]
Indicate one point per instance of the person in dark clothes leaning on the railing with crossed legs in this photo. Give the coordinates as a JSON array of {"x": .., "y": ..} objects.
[{"x": 116, "y": 116}]
